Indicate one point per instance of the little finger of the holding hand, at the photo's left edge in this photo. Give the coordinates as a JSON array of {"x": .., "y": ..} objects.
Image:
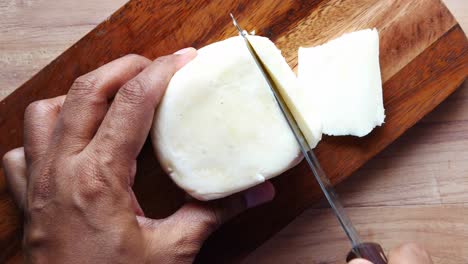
[{"x": 14, "y": 164}]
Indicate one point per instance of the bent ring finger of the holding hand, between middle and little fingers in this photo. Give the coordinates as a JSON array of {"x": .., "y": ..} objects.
[{"x": 39, "y": 122}]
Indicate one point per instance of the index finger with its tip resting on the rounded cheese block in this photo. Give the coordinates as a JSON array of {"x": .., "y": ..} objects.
[{"x": 127, "y": 123}]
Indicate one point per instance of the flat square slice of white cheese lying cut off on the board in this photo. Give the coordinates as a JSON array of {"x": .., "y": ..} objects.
[{"x": 341, "y": 79}]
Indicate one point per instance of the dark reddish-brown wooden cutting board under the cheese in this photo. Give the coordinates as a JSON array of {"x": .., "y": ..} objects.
[{"x": 423, "y": 56}]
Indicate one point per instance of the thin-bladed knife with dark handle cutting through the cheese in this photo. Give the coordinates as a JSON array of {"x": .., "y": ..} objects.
[{"x": 367, "y": 250}]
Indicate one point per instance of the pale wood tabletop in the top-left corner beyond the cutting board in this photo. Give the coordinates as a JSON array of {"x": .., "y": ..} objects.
[{"x": 33, "y": 33}]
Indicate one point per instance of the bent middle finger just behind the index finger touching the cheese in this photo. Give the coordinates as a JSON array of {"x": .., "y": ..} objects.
[{"x": 88, "y": 99}]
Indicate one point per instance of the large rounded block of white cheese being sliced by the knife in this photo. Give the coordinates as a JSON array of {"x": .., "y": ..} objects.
[{"x": 218, "y": 129}]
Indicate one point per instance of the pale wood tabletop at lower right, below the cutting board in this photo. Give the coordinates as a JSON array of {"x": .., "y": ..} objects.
[{"x": 425, "y": 169}]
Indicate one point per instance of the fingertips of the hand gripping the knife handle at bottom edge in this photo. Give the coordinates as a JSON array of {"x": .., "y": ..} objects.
[{"x": 409, "y": 253}]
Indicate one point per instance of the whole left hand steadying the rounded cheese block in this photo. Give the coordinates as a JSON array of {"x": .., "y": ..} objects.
[{"x": 74, "y": 175}]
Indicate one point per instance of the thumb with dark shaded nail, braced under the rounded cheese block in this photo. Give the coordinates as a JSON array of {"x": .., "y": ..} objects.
[{"x": 182, "y": 234}]
